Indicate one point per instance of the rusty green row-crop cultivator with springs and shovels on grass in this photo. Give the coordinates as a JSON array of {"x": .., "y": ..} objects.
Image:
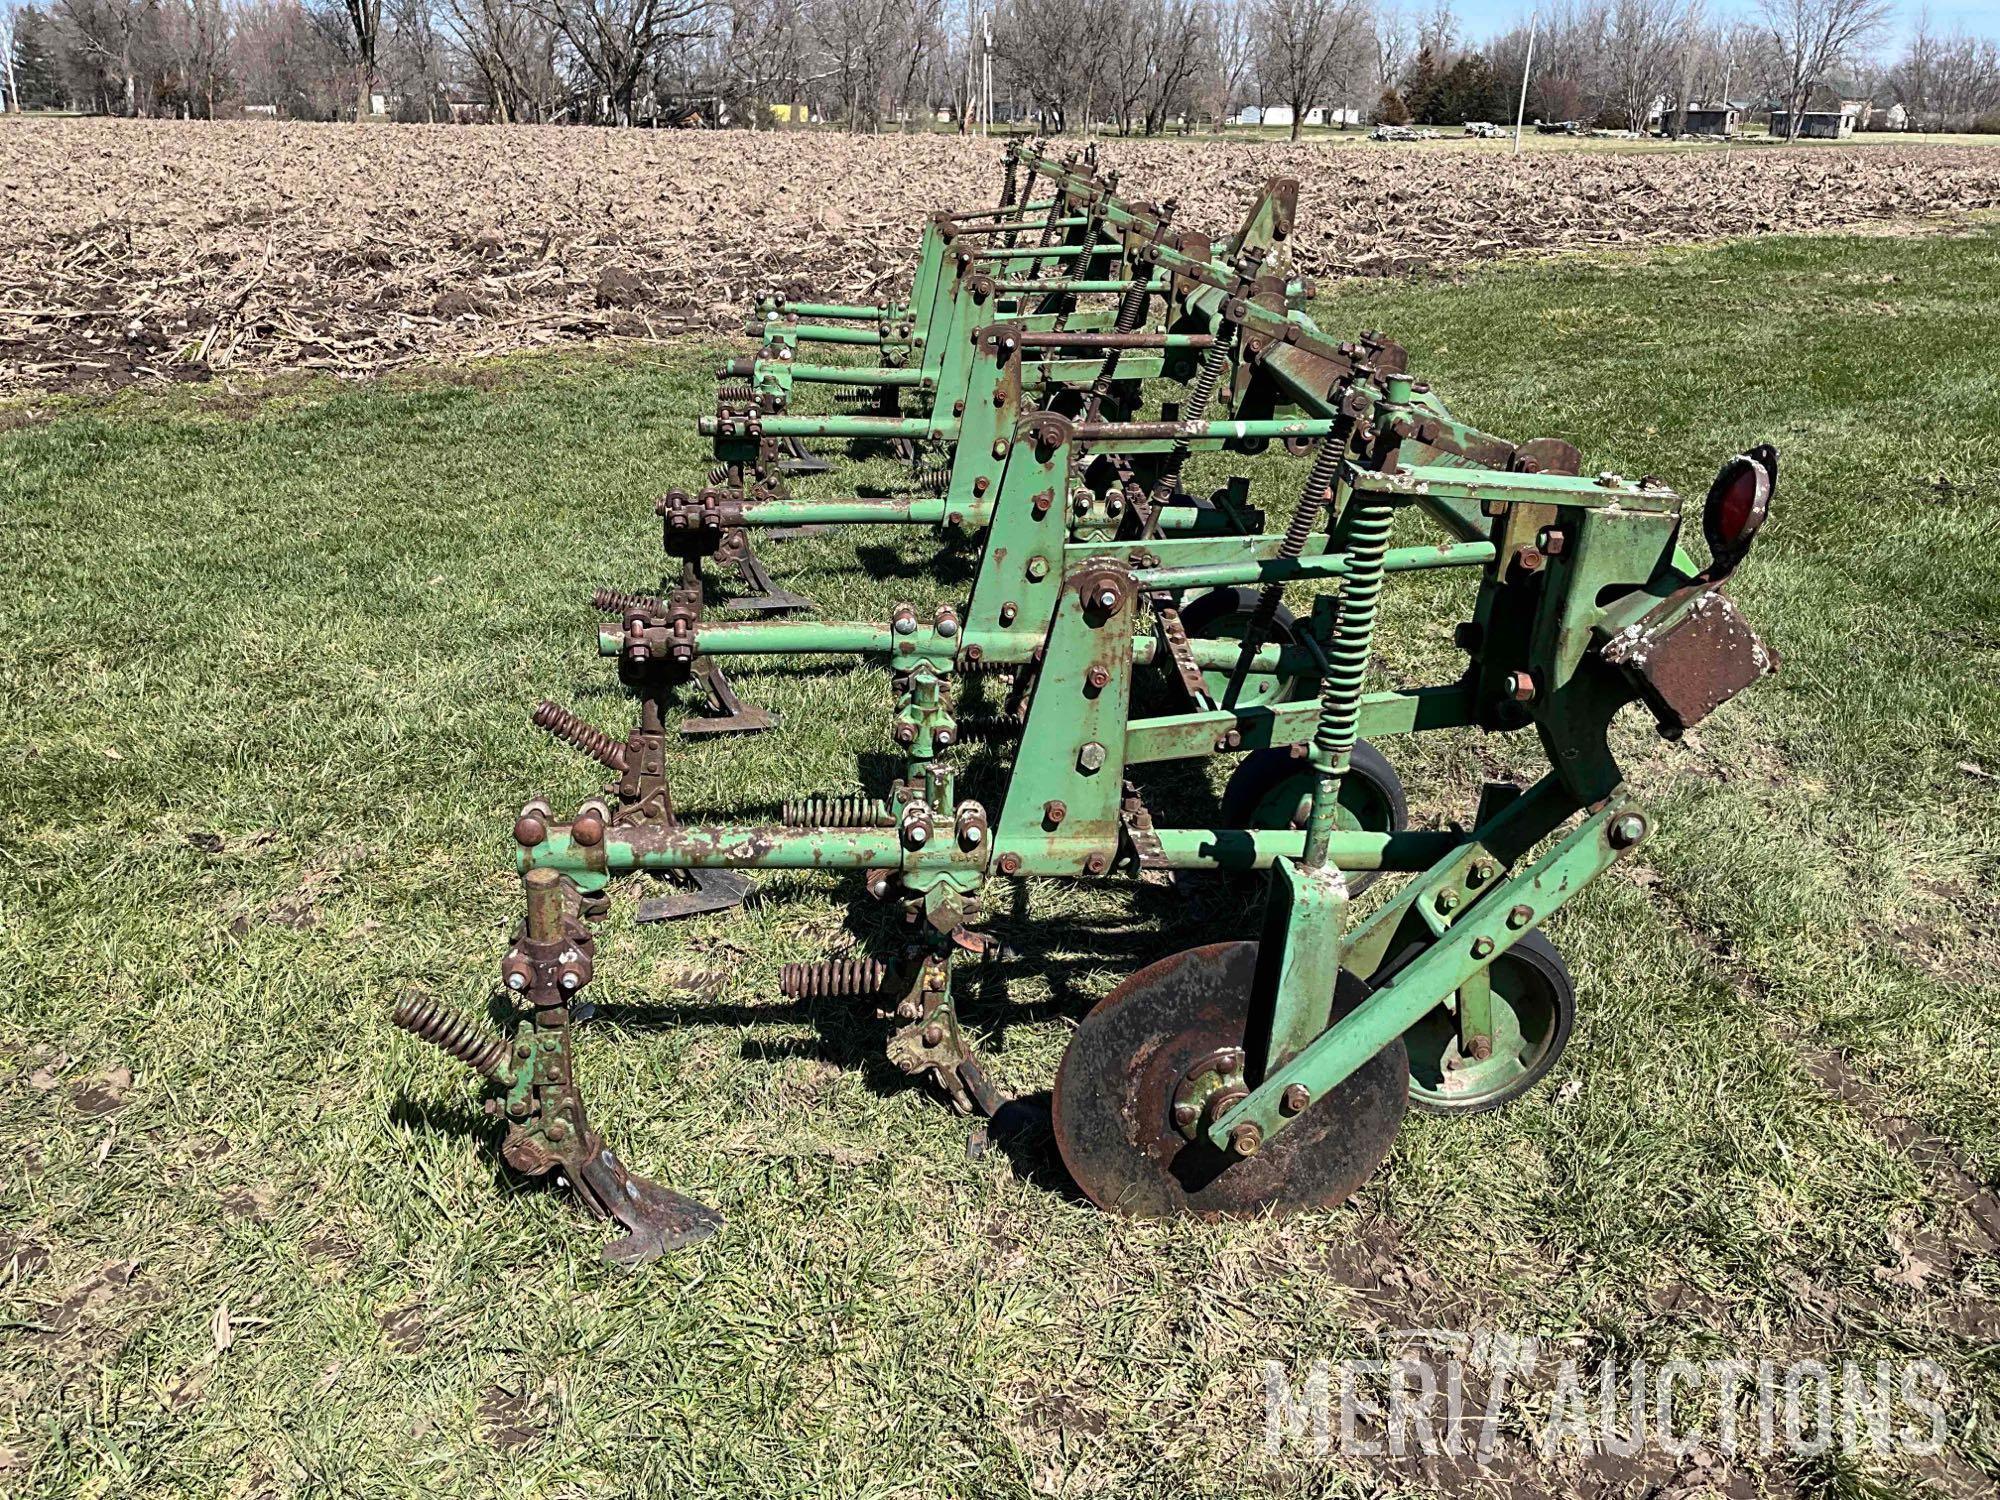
[{"x": 1267, "y": 1073}]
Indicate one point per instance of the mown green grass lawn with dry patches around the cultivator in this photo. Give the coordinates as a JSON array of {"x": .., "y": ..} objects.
[{"x": 265, "y": 735}]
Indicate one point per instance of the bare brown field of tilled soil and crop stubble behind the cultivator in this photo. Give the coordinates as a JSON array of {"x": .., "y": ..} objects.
[{"x": 165, "y": 251}]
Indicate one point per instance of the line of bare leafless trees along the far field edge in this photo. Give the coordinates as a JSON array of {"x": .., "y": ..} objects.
[{"x": 1129, "y": 67}]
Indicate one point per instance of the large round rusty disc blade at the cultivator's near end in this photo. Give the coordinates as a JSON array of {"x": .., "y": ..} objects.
[{"x": 1115, "y": 1095}]
